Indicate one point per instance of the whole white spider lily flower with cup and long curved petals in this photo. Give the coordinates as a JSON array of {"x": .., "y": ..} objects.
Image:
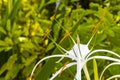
[{"x": 80, "y": 54}]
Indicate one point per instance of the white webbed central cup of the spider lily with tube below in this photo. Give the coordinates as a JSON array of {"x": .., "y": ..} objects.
[{"x": 78, "y": 53}]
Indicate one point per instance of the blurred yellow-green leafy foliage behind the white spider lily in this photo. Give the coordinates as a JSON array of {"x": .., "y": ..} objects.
[{"x": 24, "y": 25}]
